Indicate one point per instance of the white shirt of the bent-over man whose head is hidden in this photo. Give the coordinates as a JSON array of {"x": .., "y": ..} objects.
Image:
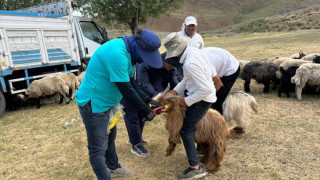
[{"x": 222, "y": 63}]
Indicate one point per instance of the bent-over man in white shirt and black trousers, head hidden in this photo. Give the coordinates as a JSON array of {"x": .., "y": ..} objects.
[{"x": 225, "y": 70}]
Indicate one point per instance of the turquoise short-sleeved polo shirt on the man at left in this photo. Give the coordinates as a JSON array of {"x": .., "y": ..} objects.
[{"x": 110, "y": 63}]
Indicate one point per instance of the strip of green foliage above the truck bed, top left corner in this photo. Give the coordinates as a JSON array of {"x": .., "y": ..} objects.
[{"x": 19, "y": 4}]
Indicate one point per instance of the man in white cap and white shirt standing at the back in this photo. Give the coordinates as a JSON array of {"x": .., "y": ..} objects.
[{"x": 189, "y": 28}]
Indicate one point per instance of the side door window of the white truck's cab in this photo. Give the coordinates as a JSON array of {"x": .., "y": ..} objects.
[{"x": 91, "y": 31}]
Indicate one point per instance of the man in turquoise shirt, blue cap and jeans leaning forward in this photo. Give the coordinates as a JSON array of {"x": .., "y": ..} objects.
[{"x": 108, "y": 78}]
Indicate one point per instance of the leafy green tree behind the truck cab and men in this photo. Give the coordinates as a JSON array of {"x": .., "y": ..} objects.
[{"x": 129, "y": 12}]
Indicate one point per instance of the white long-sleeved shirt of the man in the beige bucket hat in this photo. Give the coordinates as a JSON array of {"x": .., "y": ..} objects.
[{"x": 197, "y": 77}]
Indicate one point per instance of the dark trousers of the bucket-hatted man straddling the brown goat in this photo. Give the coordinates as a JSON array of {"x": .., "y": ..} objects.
[{"x": 193, "y": 114}]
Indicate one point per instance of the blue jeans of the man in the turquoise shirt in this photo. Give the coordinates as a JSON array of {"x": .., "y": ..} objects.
[{"x": 101, "y": 145}]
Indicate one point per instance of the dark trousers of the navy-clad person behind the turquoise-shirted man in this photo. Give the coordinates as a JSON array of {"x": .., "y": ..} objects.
[{"x": 133, "y": 120}]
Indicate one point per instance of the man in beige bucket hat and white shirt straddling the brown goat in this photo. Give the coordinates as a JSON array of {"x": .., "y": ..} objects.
[{"x": 200, "y": 96}]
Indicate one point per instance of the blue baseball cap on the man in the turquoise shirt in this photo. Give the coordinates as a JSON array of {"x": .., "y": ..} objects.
[{"x": 148, "y": 48}]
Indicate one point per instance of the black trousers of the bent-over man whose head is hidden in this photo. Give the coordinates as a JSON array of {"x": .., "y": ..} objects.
[{"x": 223, "y": 92}]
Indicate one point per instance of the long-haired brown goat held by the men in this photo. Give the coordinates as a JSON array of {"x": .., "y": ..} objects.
[{"x": 210, "y": 134}]
